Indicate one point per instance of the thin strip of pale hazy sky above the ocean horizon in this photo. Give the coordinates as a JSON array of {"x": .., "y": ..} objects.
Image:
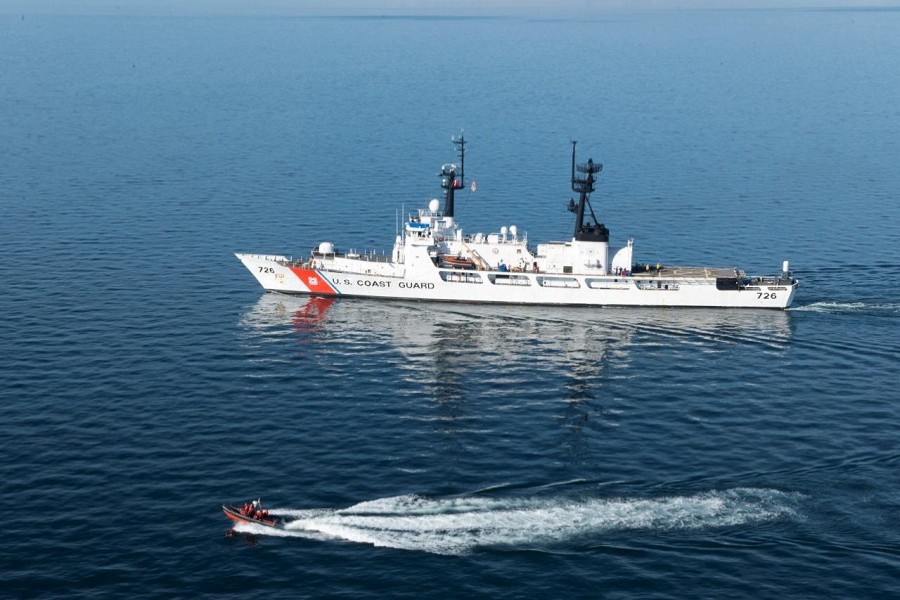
[{"x": 401, "y": 7}]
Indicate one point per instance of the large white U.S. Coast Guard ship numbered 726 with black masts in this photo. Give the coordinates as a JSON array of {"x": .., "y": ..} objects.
[{"x": 433, "y": 259}]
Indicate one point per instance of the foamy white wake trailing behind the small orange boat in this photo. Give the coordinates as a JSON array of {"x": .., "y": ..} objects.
[{"x": 460, "y": 525}]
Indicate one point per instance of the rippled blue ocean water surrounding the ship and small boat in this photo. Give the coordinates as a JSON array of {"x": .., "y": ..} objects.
[{"x": 446, "y": 450}]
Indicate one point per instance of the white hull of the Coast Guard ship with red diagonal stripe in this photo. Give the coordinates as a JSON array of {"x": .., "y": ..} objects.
[{"x": 670, "y": 287}]
